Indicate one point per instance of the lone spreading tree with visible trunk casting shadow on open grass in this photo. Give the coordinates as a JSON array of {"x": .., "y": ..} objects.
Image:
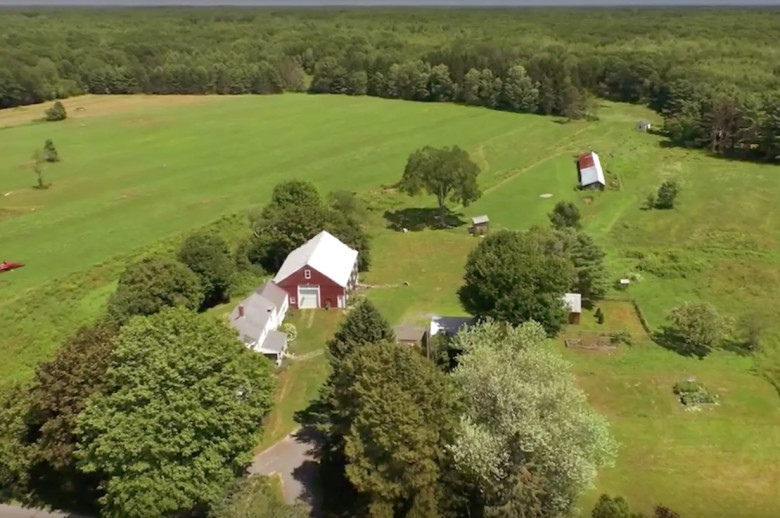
[{"x": 447, "y": 173}]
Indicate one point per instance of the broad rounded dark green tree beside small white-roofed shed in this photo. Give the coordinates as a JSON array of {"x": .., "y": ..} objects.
[{"x": 513, "y": 277}]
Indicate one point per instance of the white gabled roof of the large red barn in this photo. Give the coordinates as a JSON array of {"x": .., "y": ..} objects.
[{"x": 324, "y": 253}]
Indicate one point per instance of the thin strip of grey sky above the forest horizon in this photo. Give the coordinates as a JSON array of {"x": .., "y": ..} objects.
[{"x": 405, "y": 3}]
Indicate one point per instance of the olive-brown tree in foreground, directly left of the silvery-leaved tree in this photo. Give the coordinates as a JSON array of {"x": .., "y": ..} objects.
[{"x": 399, "y": 416}]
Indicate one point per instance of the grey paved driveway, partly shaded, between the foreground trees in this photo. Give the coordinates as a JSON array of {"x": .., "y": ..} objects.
[{"x": 291, "y": 458}]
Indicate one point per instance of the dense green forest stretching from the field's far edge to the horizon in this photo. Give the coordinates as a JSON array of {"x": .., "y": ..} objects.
[{"x": 714, "y": 75}]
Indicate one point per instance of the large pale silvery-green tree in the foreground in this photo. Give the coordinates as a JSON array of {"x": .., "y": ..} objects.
[{"x": 528, "y": 437}]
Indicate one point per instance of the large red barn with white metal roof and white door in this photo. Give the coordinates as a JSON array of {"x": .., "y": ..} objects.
[{"x": 320, "y": 273}]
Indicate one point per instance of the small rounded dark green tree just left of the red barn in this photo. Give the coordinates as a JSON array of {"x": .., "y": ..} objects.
[{"x": 208, "y": 255}]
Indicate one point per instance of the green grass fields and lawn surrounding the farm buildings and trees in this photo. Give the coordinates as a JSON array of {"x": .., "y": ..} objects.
[{"x": 140, "y": 178}]
